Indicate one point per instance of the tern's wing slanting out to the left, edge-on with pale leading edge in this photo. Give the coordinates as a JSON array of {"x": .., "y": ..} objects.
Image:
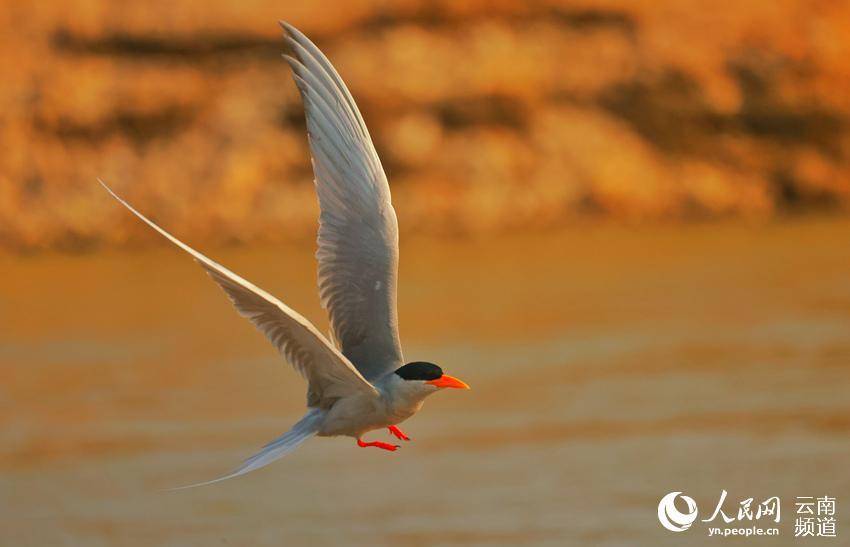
[{"x": 329, "y": 374}]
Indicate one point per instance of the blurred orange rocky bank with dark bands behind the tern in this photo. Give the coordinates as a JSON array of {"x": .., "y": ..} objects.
[{"x": 488, "y": 116}]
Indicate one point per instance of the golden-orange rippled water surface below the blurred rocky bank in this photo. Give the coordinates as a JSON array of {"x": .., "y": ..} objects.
[{"x": 609, "y": 366}]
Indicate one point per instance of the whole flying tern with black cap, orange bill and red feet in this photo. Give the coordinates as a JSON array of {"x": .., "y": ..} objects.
[{"x": 358, "y": 383}]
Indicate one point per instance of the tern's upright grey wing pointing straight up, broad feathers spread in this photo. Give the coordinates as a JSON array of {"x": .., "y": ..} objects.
[{"x": 358, "y": 230}]
